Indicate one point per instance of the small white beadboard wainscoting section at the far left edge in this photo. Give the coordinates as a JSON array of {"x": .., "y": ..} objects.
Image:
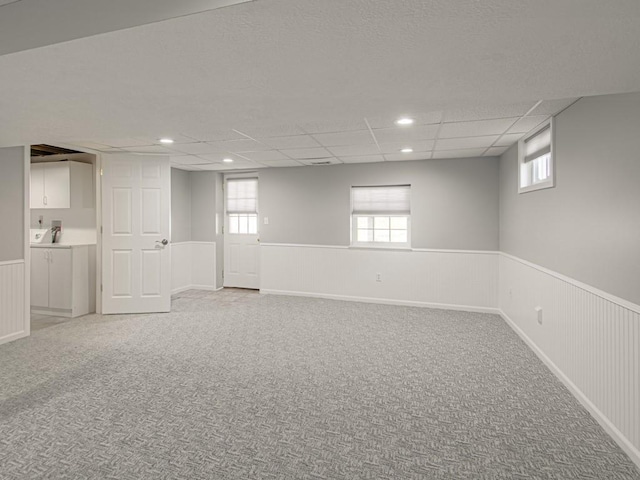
[{"x": 12, "y": 301}]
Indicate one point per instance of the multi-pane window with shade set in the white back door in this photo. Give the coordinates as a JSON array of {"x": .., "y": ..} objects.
[{"x": 242, "y": 205}]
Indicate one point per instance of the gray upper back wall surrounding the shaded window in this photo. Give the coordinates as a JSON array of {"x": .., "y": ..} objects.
[{"x": 454, "y": 202}]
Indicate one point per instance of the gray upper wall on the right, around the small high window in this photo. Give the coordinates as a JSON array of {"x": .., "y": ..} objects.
[{"x": 588, "y": 226}]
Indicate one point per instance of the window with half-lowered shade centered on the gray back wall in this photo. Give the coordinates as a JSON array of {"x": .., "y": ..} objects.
[{"x": 381, "y": 216}]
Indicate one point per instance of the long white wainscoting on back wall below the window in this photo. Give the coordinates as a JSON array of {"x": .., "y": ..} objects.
[{"x": 452, "y": 279}]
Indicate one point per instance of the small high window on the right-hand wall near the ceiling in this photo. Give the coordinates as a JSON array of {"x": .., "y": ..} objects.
[{"x": 535, "y": 160}]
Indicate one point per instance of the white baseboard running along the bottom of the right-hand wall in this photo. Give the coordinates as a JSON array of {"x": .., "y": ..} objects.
[{"x": 618, "y": 437}]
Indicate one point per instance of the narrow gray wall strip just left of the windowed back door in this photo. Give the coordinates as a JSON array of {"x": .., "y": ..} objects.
[{"x": 203, "y": 206}]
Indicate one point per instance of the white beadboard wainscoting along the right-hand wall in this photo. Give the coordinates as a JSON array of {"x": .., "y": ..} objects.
[{"x": 588, "y": 338}]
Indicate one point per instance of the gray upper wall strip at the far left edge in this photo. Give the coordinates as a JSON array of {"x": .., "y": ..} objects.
[{"x": 12, "y": 203}]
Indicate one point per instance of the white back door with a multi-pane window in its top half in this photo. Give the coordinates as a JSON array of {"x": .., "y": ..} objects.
[{"x": 241, "y": 241}]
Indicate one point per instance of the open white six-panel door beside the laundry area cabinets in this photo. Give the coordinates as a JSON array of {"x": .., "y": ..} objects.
[{"x": 136, "y": 257}]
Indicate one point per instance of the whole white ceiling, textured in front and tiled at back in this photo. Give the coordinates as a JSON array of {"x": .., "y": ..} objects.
[{"x": 289, "y": 82}]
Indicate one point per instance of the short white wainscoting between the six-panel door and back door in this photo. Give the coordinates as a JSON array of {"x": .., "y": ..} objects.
[{"x": 193, "y": 265}]
